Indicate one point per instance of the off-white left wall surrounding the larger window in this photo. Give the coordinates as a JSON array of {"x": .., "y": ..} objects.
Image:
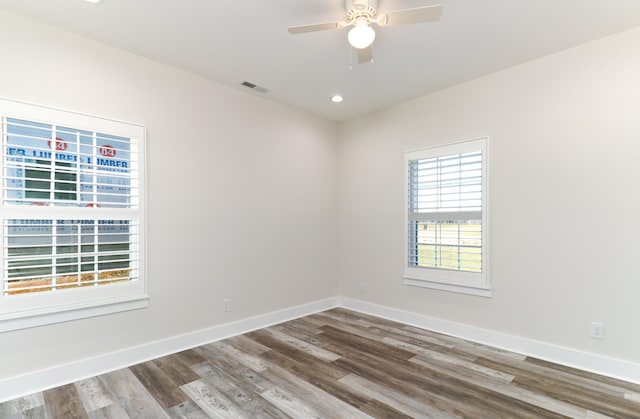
[{"x": 241, "y": 193}]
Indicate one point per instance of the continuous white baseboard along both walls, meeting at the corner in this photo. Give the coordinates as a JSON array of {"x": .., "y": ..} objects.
[{"x": 14, "y": 387}]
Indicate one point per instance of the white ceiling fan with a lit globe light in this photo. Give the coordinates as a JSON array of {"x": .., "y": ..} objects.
[{"x": 361, "y": 14}]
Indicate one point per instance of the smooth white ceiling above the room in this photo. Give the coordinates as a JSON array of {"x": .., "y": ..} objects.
[{"x": 231, "y": 41}]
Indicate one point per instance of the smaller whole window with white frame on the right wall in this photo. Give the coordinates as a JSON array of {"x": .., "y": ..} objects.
[{"x": 446, "y": 218}]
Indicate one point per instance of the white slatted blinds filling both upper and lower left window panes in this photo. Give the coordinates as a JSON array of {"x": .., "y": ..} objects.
[{"x": 71, "y": 207}]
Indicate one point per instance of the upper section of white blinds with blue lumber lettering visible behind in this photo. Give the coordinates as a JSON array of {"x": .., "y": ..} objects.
[{"x": 53, "y": 165}]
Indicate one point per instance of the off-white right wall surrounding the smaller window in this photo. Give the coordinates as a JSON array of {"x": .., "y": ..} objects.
[{"x": 564, "y": 198}]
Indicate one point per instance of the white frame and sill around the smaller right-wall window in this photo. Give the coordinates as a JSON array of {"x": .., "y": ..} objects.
[{"x": 449, "y": 279}]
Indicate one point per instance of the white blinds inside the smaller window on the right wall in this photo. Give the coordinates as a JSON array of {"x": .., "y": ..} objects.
[{"x": 445, "y": 208}]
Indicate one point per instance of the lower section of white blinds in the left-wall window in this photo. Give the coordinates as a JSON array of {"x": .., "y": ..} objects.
[{"x": 53, "y": 254}]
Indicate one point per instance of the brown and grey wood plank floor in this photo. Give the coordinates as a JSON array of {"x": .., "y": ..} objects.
[{"x": 338, "y": 364}]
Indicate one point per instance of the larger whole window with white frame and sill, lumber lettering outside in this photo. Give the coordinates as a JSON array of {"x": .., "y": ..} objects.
[{"x": 72, "y": 216}]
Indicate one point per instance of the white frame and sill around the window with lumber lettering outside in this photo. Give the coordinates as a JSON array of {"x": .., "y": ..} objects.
[{"x": 40, "y": 308}]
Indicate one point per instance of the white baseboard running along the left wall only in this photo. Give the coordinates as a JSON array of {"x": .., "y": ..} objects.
[{"x": 14, "y": 387}]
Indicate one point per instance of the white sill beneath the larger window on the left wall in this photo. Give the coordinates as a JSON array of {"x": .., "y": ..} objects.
[{"x": 61, "y": 314}]
